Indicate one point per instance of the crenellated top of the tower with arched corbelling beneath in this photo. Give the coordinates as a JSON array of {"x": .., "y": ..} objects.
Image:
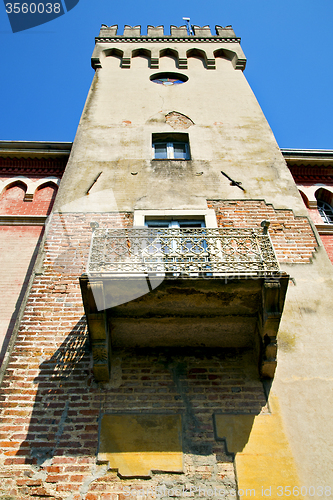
[{"x": 223, "y": 44}]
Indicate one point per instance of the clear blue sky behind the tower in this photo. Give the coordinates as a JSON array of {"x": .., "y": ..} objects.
[{"x": 46, "y": 72}]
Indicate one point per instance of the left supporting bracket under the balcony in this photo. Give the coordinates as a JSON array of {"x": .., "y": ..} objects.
[{"x": 93, "y": 300}]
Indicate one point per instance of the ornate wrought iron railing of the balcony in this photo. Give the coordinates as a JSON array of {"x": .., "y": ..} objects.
[{"x": 182, "y": 252}]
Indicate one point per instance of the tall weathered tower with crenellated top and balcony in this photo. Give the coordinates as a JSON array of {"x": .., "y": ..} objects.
[{"x": 151, "y": 332}]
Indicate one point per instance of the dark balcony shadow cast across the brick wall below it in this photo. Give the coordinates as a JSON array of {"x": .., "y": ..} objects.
[{"x": 195, "y": 383}]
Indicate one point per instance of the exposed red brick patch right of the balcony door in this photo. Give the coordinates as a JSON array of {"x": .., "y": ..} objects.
[{"x": 292, "y": 237}]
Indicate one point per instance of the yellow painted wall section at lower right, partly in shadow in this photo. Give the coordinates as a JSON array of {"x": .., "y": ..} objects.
[{"x": 263, "y": 460}]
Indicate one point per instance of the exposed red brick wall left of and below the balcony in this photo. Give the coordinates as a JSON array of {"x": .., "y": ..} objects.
[{"x": 51, "y": 405}]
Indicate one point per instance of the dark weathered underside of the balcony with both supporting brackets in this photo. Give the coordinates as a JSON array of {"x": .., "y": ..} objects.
[{"x": 184, "y": 313}]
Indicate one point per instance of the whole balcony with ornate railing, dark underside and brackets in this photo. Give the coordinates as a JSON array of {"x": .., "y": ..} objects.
[{"x": 157, "y": 287}]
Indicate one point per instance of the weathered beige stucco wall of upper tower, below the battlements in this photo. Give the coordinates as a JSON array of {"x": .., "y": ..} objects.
[{"x": 230, "y": 133}]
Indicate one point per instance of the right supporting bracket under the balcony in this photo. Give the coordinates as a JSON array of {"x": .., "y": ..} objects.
[{"x": 273, "y": 297}]
